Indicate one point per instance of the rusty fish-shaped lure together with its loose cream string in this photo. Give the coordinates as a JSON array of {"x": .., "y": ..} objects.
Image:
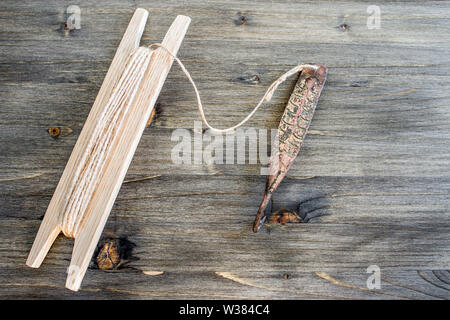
[{"x": 293, "y": 126}]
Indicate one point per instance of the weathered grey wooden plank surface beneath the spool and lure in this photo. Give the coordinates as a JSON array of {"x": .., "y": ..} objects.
[{"x": 373, "y": 175}]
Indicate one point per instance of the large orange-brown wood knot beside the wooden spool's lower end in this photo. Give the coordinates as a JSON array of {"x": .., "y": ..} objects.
[{"x": 113, "y": 253}]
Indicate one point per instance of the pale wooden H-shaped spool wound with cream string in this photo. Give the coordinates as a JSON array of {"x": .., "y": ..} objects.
[{"x": 100, "y": 159}]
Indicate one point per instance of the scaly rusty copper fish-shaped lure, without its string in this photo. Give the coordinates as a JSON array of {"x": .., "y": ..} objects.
[{"x": 292, "y": 131}]
